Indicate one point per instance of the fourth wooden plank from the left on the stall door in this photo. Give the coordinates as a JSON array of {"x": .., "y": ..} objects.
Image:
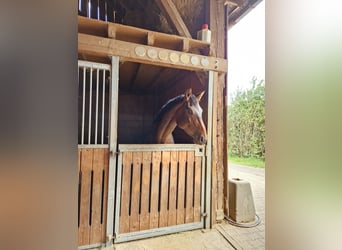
[{"x": 154, "y": 213}]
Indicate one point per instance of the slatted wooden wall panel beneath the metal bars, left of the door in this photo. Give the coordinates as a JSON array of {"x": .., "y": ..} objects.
[{"x": 93, "y": 184}]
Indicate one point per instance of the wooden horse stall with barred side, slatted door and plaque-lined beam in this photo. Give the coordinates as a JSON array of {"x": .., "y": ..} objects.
[{"x": 130, "y": 187}]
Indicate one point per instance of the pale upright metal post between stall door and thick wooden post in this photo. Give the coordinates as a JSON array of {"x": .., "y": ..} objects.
[{"x": 208, "y": 151}]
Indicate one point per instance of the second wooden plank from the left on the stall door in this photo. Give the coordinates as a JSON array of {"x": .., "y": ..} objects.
[{"x": 135, "y": 193}]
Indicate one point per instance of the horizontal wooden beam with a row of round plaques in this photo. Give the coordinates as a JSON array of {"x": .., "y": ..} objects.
[{"x": 104, "y": 47}]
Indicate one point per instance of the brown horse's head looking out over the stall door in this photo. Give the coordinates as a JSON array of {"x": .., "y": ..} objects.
[{"x": 189, "y": 117}]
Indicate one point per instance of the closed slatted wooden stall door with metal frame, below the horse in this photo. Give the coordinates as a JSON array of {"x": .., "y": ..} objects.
[{"x": 161, "y": 190}]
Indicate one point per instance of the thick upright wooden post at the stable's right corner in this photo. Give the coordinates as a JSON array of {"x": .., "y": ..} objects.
[{"x": 216, "y": 19}]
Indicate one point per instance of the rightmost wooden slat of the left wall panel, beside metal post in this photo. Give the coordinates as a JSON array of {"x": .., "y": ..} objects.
[{"x": 105, "y": 194}]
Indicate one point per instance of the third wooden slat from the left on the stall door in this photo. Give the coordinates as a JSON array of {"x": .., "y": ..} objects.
[{"x": 145, "y": 191}]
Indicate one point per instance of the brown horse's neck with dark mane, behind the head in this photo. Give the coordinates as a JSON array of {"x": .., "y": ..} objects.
[{"x": 166, "y": 126}]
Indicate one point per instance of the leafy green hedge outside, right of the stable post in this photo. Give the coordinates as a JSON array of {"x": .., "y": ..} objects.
[{"x": 246, "y": 121}]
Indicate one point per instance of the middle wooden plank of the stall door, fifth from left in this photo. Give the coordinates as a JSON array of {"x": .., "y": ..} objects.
[{"x": 164, "y": 192}]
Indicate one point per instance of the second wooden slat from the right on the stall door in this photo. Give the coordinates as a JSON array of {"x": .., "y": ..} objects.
[{"x": 189, "y": 210}]
